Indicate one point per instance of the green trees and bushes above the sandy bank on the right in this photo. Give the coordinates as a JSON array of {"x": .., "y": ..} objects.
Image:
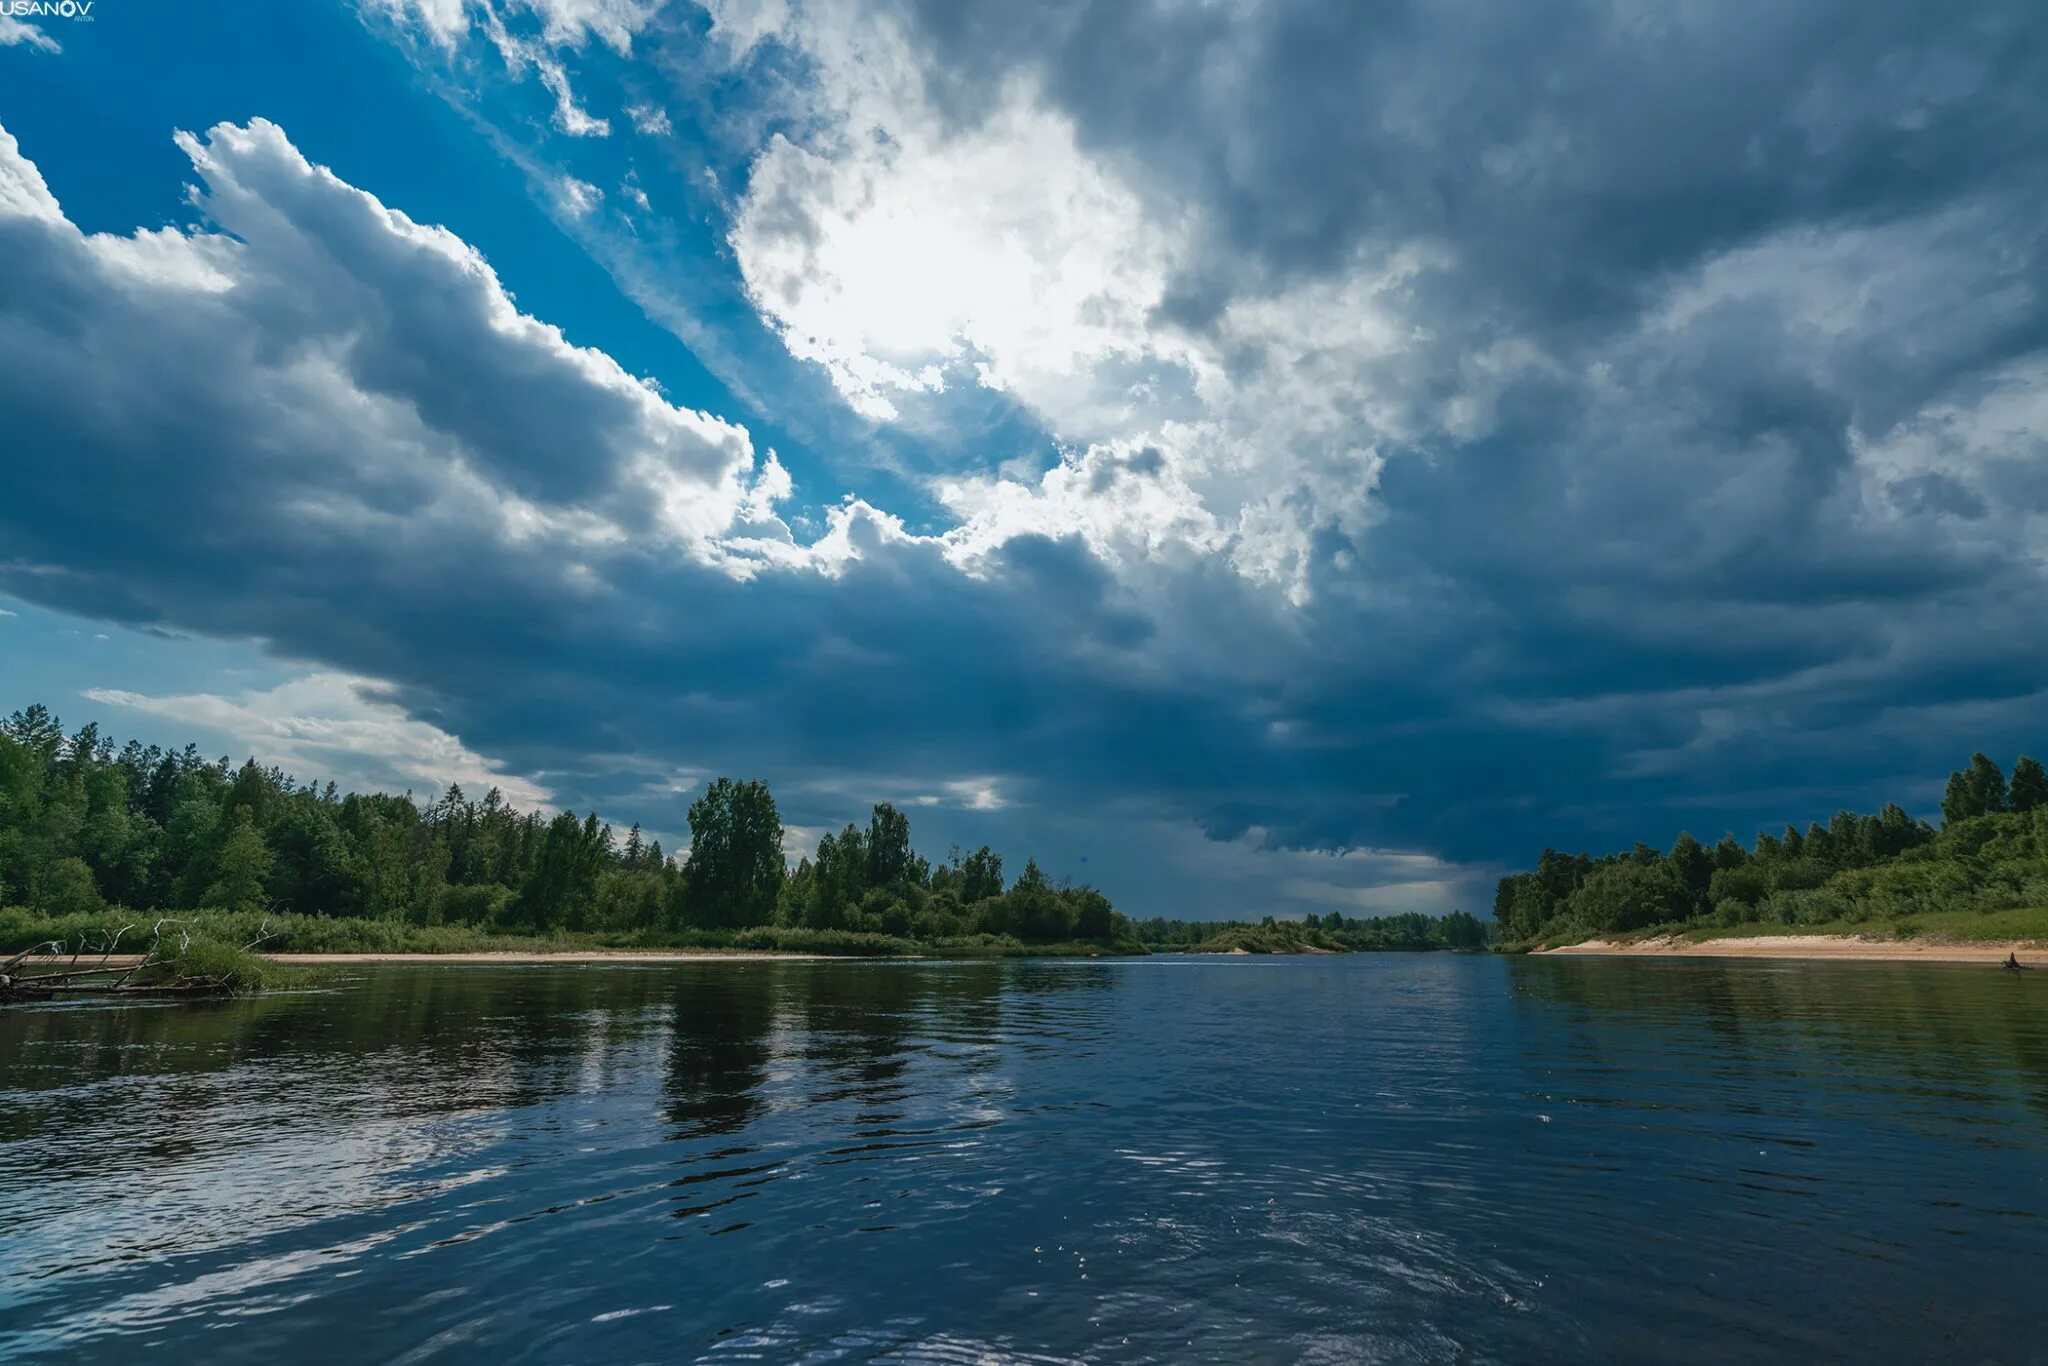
[{"x": 1990, "y": 855}]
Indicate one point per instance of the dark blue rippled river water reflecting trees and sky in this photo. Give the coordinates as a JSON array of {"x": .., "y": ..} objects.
[{"x": 1367, "y": 1158}]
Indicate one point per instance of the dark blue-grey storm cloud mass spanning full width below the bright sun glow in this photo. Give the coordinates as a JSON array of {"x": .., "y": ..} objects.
[{"x": 1746, "y": 538}]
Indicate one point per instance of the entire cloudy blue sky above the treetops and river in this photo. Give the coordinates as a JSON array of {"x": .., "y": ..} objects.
[{"x": 1254, "y": 458}]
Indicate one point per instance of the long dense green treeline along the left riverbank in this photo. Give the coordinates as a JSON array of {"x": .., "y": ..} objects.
[{"x": 85, "y": 826}]
